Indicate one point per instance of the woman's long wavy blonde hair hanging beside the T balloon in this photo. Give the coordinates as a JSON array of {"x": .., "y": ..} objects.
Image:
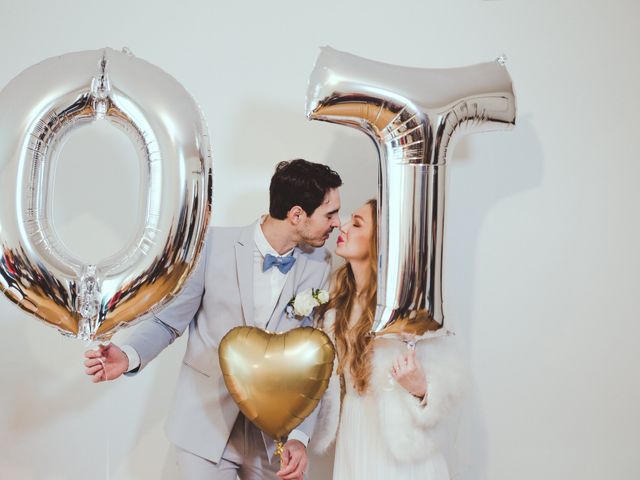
[{"x": 354, "y": 344}]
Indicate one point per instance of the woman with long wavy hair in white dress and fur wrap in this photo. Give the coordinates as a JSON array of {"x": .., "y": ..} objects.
[{"x": 393, "y": 399}]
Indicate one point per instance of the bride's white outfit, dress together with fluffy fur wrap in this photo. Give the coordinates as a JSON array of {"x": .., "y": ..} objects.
[{"x": 387, "y": 433}]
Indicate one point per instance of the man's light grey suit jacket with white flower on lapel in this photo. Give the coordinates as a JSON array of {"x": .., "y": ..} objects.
[{"x": 216, "y": 298}]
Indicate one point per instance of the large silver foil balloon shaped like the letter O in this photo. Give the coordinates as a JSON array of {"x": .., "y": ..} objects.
[{"x": 38, "y": 109}]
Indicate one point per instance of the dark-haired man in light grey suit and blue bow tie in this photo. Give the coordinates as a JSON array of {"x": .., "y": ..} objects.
[{"x": 246, "y": 276}]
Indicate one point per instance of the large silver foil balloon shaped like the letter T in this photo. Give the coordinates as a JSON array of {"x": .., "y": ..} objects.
[{"x": 414, "y": 116}]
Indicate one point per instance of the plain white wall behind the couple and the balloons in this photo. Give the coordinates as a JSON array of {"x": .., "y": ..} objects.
[{"x": 542, "y": 231}]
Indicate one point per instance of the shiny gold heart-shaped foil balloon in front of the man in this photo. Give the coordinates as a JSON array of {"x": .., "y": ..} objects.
[{"x": 277, "y": 379}]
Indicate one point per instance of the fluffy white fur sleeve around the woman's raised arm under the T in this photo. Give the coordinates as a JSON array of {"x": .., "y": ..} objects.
[{"x": 413, "y": 429}]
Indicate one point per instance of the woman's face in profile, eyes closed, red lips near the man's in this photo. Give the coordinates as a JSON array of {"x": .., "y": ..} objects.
[{"x": 355, "y": 235}]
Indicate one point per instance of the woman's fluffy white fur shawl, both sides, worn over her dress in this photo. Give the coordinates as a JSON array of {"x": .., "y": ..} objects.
[{"x": 411, "y": 428}]
